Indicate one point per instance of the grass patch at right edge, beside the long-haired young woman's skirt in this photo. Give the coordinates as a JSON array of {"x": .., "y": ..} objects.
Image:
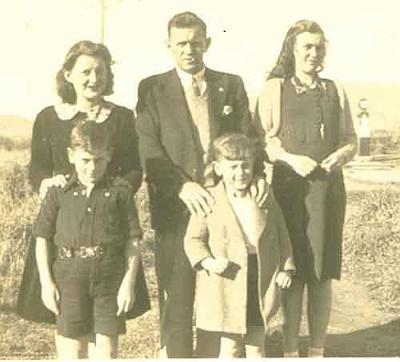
[{"x": 372, "y": 243}]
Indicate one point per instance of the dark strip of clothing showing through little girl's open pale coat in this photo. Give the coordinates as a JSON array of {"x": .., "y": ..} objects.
[{"x": 253, "y": 313}]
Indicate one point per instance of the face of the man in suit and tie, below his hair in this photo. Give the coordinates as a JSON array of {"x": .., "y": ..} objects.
[{"x": 188, "y": 46}]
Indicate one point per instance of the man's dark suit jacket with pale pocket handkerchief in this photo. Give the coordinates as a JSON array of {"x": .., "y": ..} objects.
[{"x": 169, "y": 145}]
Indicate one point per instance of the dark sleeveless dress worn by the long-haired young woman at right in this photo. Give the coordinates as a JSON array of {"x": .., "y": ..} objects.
[{"x": 313, "y": 206}]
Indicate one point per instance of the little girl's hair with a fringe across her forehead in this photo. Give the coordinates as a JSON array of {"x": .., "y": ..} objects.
[{"x": 230, "y": 146}]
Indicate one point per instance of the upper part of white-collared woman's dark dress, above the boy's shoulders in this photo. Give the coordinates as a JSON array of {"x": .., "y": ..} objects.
[{"x": 50, "y": 139}]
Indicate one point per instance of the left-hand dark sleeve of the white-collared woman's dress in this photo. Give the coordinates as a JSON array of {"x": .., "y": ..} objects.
[{"x": 41, "y": 164}]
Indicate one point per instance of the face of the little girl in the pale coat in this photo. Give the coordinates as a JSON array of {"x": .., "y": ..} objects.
[{"x": 236, "y": 174}]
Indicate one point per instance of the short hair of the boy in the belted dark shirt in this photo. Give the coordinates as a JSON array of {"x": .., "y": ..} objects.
[{"x": 90, "y": 136}]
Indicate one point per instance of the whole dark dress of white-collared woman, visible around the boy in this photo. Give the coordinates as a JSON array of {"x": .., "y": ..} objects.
[{"x": 50, "y": 138}]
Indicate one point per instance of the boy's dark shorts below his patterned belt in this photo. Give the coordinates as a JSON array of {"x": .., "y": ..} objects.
[{"x": 88, "y": 296}]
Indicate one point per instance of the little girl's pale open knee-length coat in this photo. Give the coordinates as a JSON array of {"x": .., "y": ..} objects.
[{"x": 221, "y": 299}]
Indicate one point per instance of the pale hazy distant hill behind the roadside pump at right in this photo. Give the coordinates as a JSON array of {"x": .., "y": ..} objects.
[{"x": 384, "y": 103}]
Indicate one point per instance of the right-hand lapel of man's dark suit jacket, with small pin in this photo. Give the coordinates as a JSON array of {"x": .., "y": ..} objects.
[{"x": 217, "y": 85}]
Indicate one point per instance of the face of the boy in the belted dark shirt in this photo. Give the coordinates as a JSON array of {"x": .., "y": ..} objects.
[{"x": 90, "y": 166}]
